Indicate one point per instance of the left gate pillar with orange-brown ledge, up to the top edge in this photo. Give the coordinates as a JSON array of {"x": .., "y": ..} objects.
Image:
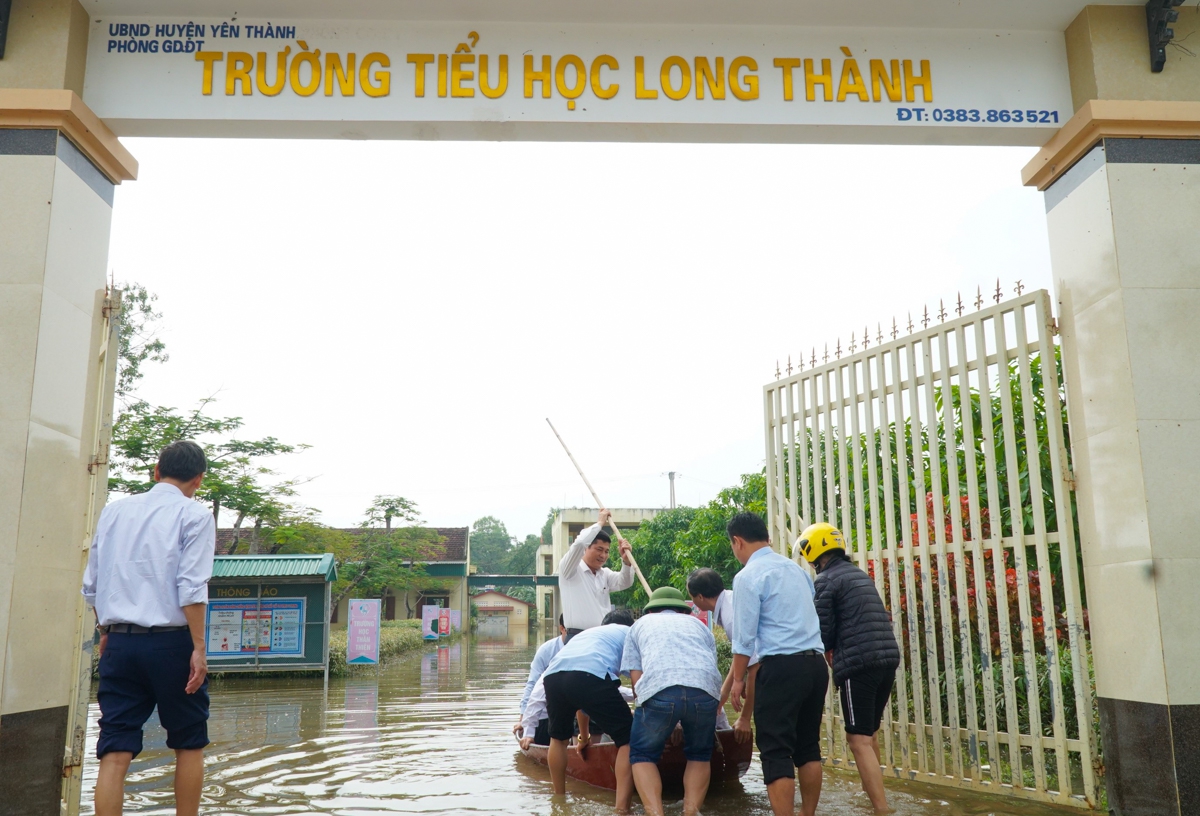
[{"x": 58, "y": 169}]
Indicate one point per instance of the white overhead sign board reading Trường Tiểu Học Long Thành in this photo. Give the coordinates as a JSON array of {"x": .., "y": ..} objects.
[{"x": 172, "y": 76}]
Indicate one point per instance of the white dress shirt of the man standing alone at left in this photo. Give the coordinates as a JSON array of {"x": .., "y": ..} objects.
[{"x": 152, "y": 556}]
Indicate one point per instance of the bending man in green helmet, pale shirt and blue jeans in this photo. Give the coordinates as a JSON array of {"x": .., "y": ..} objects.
[{"x": 671, "y": 659}]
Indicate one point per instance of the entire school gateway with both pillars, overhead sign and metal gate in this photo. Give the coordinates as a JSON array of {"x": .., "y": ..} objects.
[{"x": 1114, "y": 105}]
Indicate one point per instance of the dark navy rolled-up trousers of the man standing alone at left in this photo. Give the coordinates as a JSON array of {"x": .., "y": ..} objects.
[{"x": 139, "y": 673}]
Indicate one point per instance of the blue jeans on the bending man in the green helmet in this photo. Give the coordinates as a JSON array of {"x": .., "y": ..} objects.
[{"x": 657, "y": 718}]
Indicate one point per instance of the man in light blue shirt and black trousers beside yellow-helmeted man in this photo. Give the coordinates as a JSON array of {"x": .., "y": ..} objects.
[{"x": 776, "y": 619}]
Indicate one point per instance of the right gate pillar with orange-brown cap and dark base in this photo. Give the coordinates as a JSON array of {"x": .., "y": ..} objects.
[{"x": 1123, "y": 195}]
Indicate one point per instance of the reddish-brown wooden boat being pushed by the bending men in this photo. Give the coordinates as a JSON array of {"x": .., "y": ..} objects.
[{"x": 731, "y": 760}]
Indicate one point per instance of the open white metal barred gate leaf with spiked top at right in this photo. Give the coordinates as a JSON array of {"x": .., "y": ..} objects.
[{"x": 943, "y": 457}]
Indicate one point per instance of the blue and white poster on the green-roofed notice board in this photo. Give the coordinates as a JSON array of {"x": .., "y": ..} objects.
[{"x": 271, "y": 628}]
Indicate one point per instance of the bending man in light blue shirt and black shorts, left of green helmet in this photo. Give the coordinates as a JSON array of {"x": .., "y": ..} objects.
[{"x": 586, "y": 676}]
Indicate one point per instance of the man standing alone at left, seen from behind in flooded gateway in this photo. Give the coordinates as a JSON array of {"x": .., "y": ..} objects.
[{"x": 147, "y": 580}]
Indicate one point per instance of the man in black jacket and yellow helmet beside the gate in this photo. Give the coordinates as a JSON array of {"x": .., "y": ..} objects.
[{"x": 856, "y": 629}]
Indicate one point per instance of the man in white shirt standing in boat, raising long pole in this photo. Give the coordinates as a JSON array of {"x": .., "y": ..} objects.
[{"x": 584, "y": 580}]
